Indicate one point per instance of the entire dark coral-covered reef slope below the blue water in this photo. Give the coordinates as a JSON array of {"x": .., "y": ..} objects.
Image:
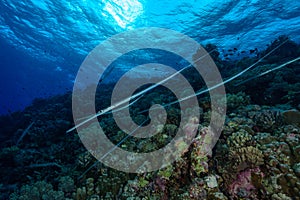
[{"x": 256, "y": 157}]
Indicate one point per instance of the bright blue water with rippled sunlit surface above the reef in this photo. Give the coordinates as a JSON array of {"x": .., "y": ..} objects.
[{"x": 44, "y": 42}]
